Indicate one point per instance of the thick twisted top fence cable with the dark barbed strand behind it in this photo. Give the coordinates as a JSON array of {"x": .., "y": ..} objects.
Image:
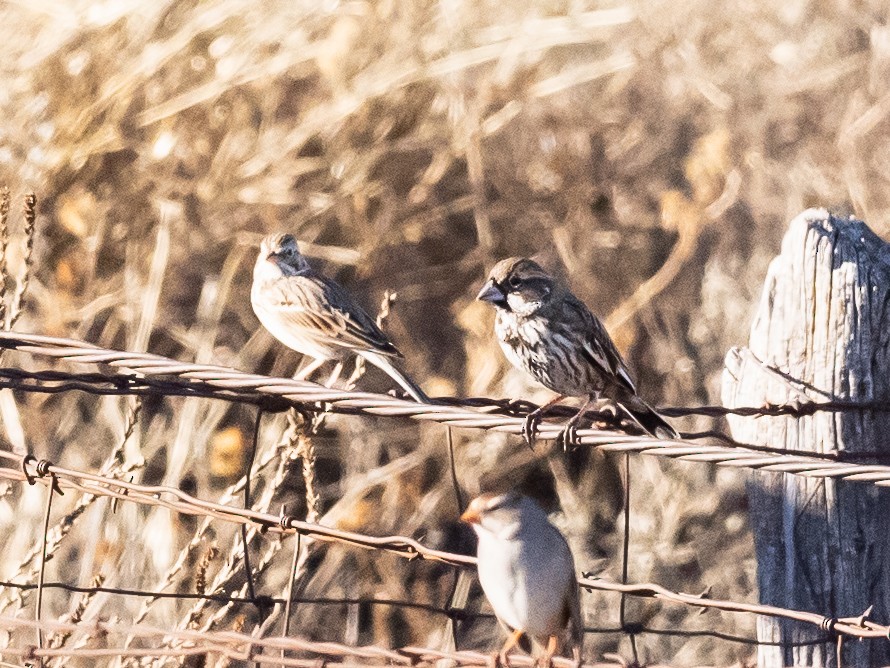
[{"x": 136, "y": 373}]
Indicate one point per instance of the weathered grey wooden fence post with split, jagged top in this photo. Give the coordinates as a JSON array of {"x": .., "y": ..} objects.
[{"x": 824, "y": 546}]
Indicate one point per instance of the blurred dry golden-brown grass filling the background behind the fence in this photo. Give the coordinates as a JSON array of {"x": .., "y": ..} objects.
[{"x": 651, "y": 152}]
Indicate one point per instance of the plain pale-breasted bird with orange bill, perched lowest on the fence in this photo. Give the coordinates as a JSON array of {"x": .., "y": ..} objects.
[{"x": 527, "y": 572}]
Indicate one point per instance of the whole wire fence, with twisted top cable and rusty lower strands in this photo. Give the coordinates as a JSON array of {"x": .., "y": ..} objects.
[{"x": 145, "y": 375}]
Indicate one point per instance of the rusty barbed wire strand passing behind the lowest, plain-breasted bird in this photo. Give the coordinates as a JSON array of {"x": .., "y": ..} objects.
[{"x": 57, "y": 478}]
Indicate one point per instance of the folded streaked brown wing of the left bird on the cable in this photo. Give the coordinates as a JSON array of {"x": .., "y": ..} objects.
[{"x": 318, "y": 304}]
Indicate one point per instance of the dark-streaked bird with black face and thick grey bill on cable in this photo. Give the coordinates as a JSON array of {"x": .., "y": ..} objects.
[{"x": 548, "y": 332}]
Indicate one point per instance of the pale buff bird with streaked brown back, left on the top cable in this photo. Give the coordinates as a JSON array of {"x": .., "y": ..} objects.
[{"x": 310, "y": 313}]
